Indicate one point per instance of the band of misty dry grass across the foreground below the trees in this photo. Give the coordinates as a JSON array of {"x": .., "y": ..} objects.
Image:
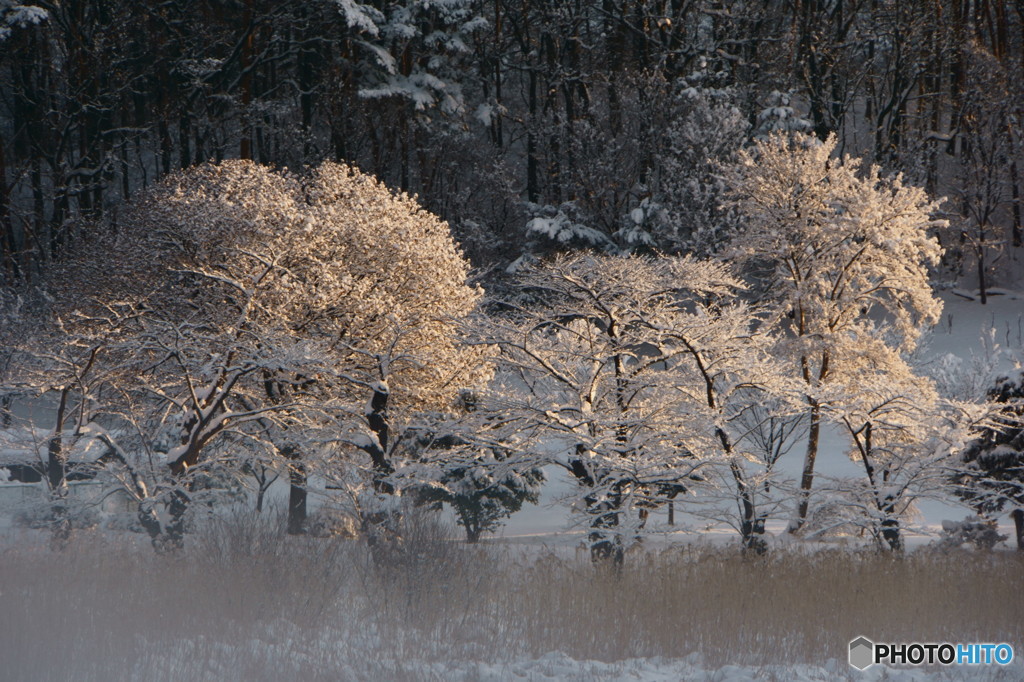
[{"x": 246, "y": 603}]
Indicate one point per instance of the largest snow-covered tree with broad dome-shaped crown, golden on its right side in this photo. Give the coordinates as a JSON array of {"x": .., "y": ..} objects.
[{"x": 263, "y": 313}]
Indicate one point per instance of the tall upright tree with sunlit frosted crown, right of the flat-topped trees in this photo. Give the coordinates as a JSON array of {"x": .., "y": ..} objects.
[{"x": 839, "y": 252}]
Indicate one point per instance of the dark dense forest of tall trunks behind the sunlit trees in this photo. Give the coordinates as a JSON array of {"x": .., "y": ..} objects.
[{"x": 527, "y": 124}]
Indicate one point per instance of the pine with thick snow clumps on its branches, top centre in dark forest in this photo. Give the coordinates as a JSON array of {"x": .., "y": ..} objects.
[{"x": 406, "y": 64}]
